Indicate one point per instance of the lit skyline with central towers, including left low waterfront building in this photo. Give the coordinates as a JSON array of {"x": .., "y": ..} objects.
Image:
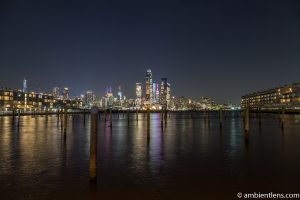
[{"x": 152, "y": 94}]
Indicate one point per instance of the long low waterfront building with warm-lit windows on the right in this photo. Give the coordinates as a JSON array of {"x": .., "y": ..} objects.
[{"x": 287, "y": 96}]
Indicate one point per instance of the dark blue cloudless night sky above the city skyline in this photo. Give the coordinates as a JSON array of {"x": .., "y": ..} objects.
[{"x": 205, "y": 48}]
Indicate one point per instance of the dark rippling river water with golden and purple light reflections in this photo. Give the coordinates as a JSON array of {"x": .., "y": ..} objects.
[{"x": 189, "y": 159}]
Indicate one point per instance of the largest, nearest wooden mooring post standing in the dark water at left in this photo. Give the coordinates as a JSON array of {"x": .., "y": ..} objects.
[{"x": 93, "y": 144}]
